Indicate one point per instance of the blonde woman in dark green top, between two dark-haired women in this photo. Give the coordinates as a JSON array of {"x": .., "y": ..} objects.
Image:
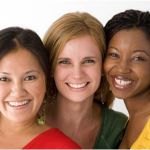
[{"x": 81, "y": 100}]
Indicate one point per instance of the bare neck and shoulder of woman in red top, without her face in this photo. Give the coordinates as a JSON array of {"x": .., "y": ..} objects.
[{"x": 14, "y": 134}]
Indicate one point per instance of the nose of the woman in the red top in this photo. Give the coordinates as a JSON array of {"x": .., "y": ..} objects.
[{"x": 17, "y": 90}]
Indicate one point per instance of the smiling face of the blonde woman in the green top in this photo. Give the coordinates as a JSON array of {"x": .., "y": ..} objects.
[{"x": 78, "y": 70}]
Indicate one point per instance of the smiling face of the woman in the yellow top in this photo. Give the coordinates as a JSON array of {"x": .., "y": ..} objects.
[{"x": 127, "y": 65}]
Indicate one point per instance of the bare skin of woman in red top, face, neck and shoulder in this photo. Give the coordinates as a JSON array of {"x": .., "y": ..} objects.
[{"x": 20, "y": 77}]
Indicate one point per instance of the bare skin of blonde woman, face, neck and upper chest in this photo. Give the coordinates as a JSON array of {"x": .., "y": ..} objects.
[{"x": 77, "y": 76}]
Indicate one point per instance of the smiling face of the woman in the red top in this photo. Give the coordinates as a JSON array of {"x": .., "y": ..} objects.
[{"x": 22, "y": 86}]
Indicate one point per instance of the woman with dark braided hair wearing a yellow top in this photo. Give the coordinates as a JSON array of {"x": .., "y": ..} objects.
[{"x": 127, "y": 68}]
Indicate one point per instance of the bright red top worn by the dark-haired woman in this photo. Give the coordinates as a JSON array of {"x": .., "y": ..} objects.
[{"x": 52, "y": 138}]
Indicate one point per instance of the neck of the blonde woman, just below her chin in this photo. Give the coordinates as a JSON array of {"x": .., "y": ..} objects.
[{"x": 75, "y": 112}]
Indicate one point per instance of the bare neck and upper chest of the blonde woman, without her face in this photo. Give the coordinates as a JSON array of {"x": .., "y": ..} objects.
[{"x": 80, "y": 125}]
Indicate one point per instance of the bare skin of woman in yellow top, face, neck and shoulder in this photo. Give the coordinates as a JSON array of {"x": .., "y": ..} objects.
[{"x": 128, "y": 73}]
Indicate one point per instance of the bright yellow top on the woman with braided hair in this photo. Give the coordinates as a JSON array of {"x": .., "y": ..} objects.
[{"x": 143, "y": 141}]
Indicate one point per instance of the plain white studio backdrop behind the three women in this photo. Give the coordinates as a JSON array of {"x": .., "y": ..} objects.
[{"x": 38, "y": 15}]
